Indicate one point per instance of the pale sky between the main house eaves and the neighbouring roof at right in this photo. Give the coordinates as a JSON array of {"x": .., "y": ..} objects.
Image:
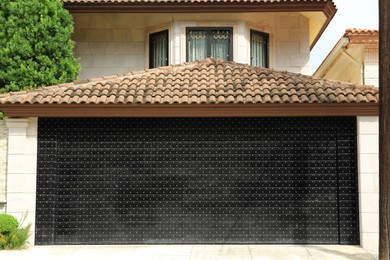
[{"x": 361, "y": 14}]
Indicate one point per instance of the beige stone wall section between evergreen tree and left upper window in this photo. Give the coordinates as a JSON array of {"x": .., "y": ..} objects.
[{"x": 108, "y": 44}]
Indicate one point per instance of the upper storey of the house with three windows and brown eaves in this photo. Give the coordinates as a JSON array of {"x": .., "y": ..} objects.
[{"x": 116, "y": 39}]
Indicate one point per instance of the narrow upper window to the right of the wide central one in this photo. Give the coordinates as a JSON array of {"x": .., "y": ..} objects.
[{"x": 259, "y": 49}]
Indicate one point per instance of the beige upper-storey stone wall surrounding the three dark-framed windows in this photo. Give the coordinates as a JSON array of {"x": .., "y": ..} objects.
[{"x": 109, "y": 44}]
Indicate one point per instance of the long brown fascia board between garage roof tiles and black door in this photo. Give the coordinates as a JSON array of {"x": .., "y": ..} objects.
[{"x": 190, "y": 110}]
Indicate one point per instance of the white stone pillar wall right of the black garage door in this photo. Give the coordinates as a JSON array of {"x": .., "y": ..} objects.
[{"x": 368, "y": 158}]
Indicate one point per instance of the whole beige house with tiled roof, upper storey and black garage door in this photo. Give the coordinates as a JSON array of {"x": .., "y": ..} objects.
[{"x": 215, "y": 148}]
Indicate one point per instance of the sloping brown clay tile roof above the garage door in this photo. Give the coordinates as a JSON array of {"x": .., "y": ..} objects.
[{"x": 246, "y": 85}]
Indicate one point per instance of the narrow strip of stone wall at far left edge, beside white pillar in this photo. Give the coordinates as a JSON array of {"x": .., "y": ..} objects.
[{"x": 3, "y": 164}]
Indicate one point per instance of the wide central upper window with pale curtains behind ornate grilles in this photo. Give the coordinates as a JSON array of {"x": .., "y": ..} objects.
[{"x": 209, "y": 42}]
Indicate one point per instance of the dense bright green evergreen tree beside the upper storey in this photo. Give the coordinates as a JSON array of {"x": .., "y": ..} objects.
[{"x": 35, "y": 45}]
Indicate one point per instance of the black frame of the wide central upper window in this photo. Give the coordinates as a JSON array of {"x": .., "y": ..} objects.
[{"x": 209, "y": 29}]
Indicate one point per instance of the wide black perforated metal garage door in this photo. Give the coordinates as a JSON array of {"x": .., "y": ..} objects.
[{"x": 197, "y": 180}]
